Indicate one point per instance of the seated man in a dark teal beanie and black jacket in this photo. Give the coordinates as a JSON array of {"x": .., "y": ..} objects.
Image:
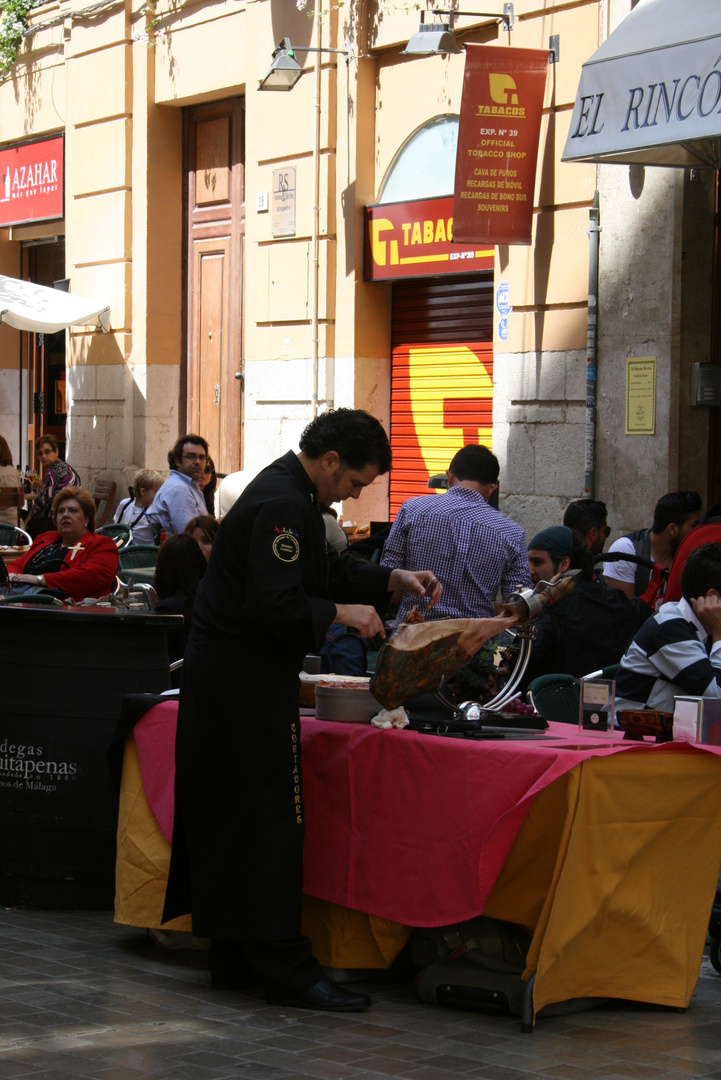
[{"x": 592, "y": 627}]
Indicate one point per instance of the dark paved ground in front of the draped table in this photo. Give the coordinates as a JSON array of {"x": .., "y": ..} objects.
[{"x": 84, "y": 998}]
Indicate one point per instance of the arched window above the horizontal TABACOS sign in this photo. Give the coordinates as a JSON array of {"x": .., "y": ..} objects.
[{"x": 426, "y": 165}]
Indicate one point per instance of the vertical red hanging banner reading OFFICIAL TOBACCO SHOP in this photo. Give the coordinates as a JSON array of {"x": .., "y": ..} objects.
[{"x": 498, "y": 144}]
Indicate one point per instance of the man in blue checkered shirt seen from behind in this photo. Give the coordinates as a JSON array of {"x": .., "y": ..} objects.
[{"x": 475, "y": 551}]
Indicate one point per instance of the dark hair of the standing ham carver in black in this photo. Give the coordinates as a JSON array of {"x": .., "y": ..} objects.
[{"x": 357, "y": 437}]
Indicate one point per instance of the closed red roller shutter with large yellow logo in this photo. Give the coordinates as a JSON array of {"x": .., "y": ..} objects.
[{"x": 442, "y": 393}]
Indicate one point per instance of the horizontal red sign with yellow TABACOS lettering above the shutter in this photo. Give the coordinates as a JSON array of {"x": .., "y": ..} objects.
[{"x": 415, "y": 240}]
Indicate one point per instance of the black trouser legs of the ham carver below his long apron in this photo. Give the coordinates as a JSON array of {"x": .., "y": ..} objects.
[{"x": 280, "y": 967}]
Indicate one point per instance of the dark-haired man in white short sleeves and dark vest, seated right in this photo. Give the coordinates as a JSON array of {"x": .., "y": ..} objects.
[{"x": 676, "y": 515}]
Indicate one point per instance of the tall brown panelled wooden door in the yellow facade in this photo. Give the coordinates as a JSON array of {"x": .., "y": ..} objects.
[{"x": 215, "y": 235}]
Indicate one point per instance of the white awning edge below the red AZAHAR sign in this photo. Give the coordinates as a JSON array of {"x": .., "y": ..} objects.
[{"x": 43, "y": 310}]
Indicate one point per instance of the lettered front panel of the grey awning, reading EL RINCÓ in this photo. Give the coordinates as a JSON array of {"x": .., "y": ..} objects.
[{"x": 651, "y": 100}]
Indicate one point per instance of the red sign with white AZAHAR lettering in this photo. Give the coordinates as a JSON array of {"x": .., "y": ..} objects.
[{"x": 32, "y": 182}]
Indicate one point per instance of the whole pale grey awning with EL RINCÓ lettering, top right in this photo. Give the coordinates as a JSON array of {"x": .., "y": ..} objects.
[{"x": 652, "y": 93}]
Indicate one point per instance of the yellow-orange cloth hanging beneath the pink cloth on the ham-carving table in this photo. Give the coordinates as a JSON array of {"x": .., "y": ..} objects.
[{"x": 615, "y": 877}]
